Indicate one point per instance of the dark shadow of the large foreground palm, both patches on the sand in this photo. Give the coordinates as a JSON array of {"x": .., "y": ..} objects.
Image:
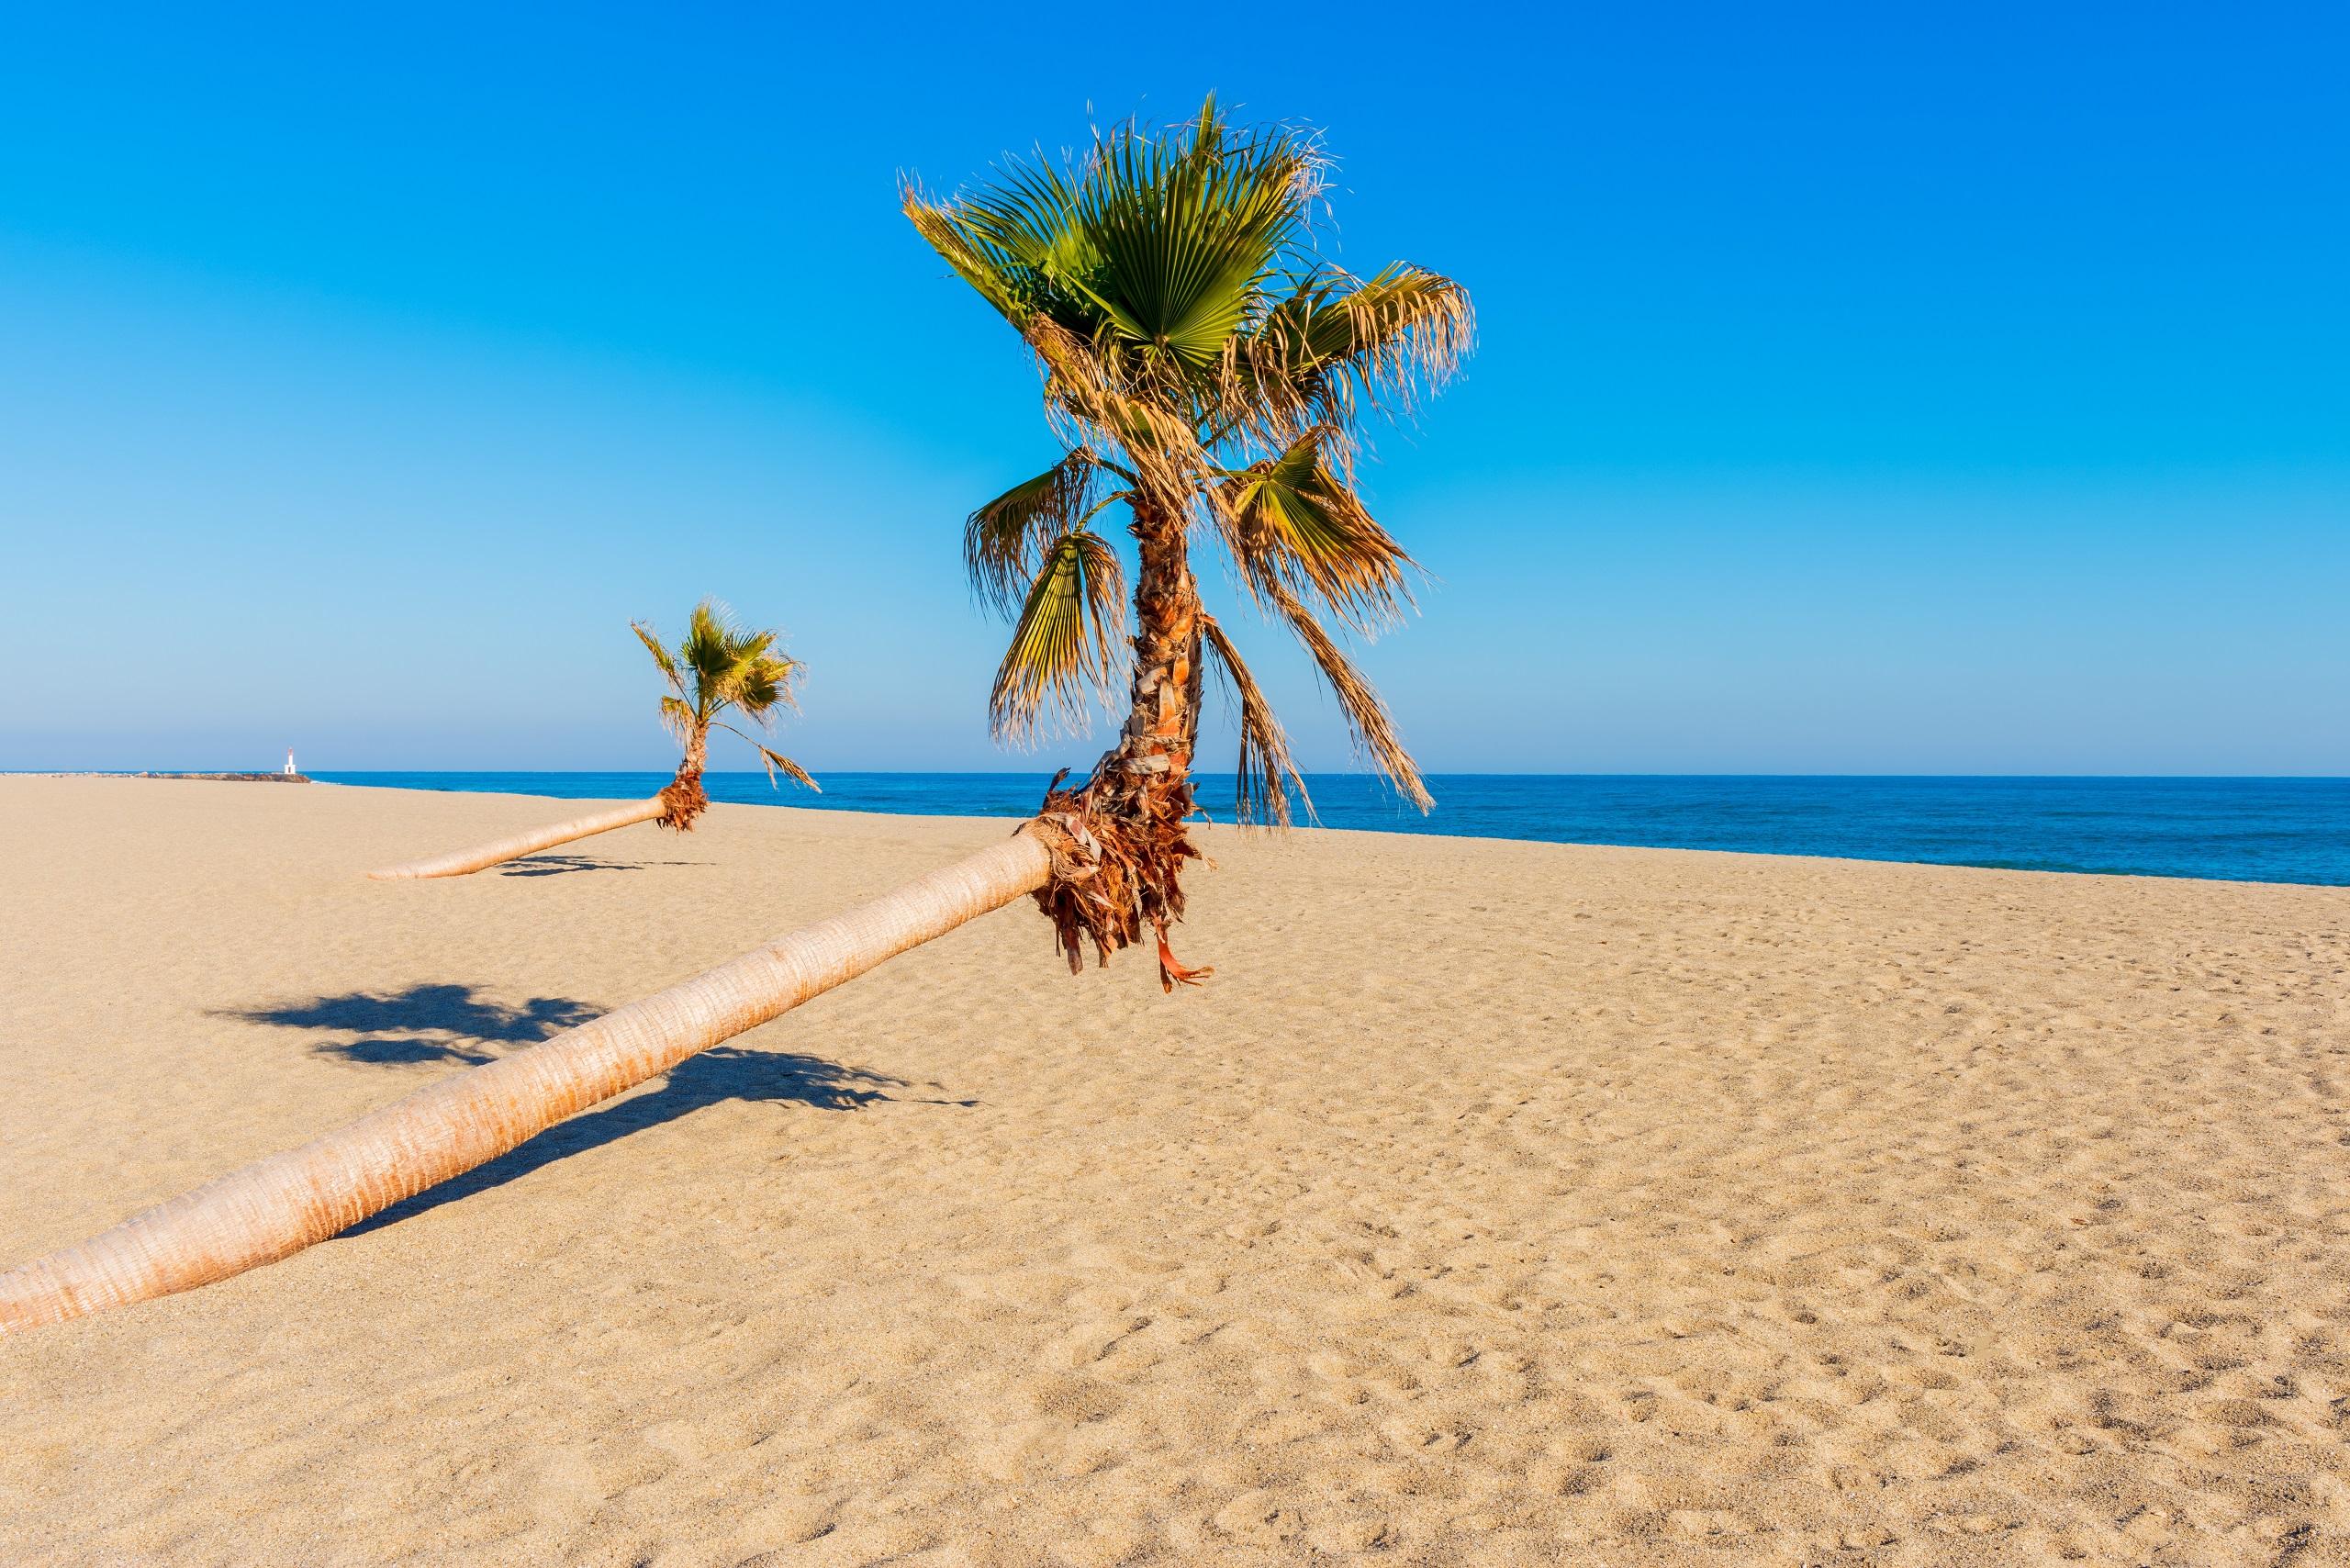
[{"x": 448, "y": 1024}]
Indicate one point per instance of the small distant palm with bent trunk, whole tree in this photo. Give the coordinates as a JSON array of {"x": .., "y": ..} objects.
[{"x": 718, "y": 669}]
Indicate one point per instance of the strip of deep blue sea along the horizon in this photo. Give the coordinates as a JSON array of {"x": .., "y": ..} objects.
[{"x": 2236, "y": 829}]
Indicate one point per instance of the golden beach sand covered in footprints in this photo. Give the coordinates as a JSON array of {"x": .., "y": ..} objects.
[{"x": 1496, "y": 1202}]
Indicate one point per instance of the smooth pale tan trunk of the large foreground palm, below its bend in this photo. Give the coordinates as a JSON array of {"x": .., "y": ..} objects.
[{"x": 307, "y": 1195}]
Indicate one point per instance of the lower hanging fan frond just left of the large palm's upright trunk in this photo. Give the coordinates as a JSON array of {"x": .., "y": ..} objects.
[{"x": 1068, "y": 643}]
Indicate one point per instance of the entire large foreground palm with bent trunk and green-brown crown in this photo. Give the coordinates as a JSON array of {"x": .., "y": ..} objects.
[{"x": 1207, "y": 373}]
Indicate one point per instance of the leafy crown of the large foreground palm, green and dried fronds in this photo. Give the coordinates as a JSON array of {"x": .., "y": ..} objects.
[{"x": 1207, "y": 368}]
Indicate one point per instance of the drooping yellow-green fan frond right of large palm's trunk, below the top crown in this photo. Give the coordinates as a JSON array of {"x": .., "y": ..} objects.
[{"x": 1296, "y": 518}]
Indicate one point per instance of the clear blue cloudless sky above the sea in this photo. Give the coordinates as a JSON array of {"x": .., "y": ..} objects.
[{"x": 1858, "y": 389}]
